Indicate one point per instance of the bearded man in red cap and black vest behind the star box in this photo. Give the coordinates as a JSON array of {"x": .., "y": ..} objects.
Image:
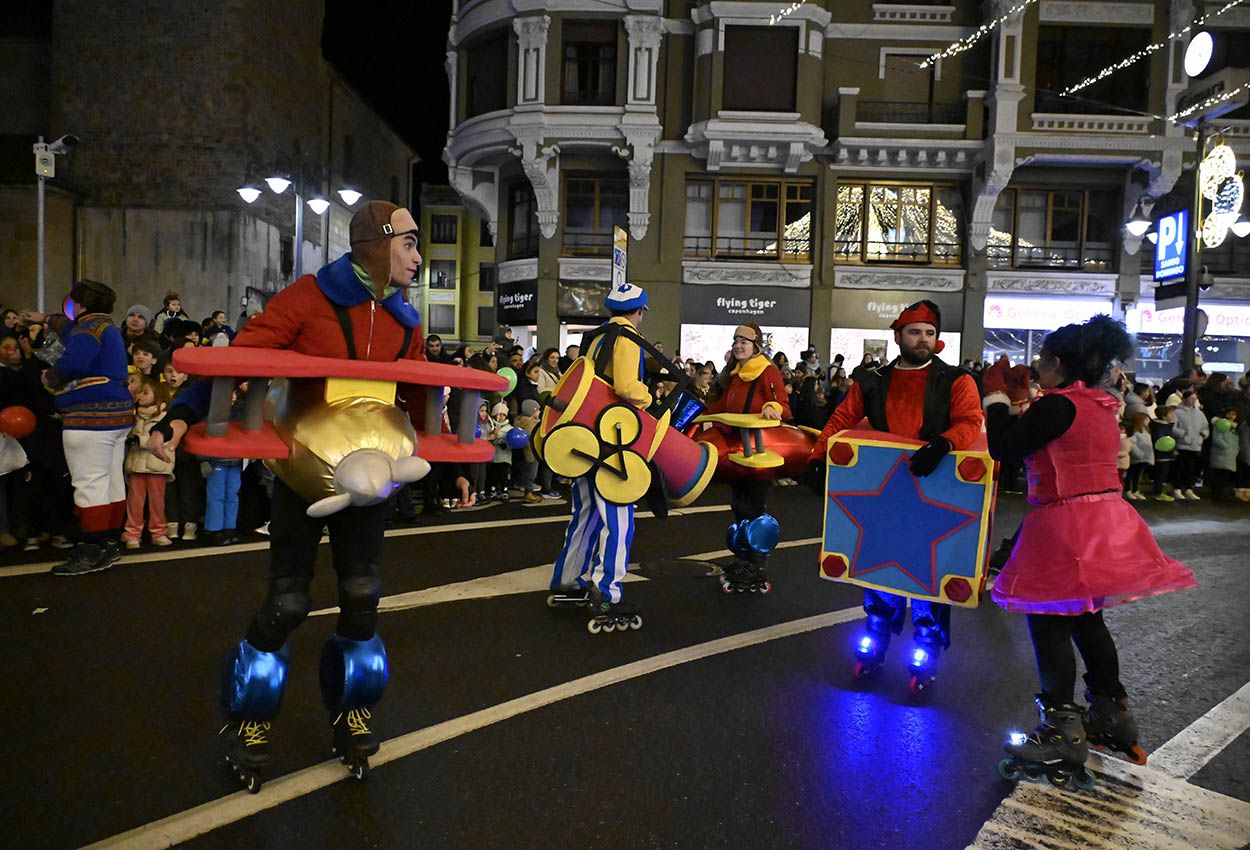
[{"x": 921, "y": 398}]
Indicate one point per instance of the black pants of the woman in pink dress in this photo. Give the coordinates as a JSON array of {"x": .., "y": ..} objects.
[{"x": 1053, "y": 638}]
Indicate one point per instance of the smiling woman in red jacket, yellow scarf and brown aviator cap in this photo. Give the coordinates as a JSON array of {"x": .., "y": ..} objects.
[{"x": 751, "y": 384}]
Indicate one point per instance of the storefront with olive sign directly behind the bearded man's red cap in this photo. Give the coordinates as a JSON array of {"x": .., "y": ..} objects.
[{"x": 863, "y": 317}]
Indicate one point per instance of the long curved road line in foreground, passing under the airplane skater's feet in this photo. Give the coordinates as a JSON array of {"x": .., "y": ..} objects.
[{"x": 231, "y": 809}]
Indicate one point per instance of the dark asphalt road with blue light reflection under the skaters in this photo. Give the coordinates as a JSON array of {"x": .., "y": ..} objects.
[{"x": 727, "y": 722}]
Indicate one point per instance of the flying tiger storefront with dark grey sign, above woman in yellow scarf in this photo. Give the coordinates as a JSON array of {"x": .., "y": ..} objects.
[{"x": 711, "y": 312}]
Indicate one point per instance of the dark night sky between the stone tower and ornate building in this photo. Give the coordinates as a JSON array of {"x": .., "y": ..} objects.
[{"x": 393, "y": 53}]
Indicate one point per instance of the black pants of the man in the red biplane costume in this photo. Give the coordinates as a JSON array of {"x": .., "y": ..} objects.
[{"x": 357, "y": 538}]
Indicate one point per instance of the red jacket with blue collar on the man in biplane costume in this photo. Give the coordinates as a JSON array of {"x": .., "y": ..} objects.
[{"x": 302, "y": 318}]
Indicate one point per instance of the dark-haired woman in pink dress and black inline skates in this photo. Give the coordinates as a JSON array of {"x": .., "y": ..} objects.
[{"x": 1082, "y": 549}]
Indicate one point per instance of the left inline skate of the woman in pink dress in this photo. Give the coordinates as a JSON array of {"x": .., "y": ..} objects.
[{"x": 1057, "y": 749}]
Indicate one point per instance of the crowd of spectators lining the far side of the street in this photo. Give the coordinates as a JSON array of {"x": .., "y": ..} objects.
[{"x": 1183, "y": 438}]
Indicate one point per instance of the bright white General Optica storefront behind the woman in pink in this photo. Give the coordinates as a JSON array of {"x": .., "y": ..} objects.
[{"x": 1016, "y": 326}]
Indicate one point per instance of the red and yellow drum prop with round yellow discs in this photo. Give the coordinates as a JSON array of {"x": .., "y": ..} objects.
[{"x": 601, "y": 433}]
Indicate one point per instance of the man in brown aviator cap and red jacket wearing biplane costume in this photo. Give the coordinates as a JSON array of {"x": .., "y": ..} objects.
[{"x": 354, "y": 308}]
